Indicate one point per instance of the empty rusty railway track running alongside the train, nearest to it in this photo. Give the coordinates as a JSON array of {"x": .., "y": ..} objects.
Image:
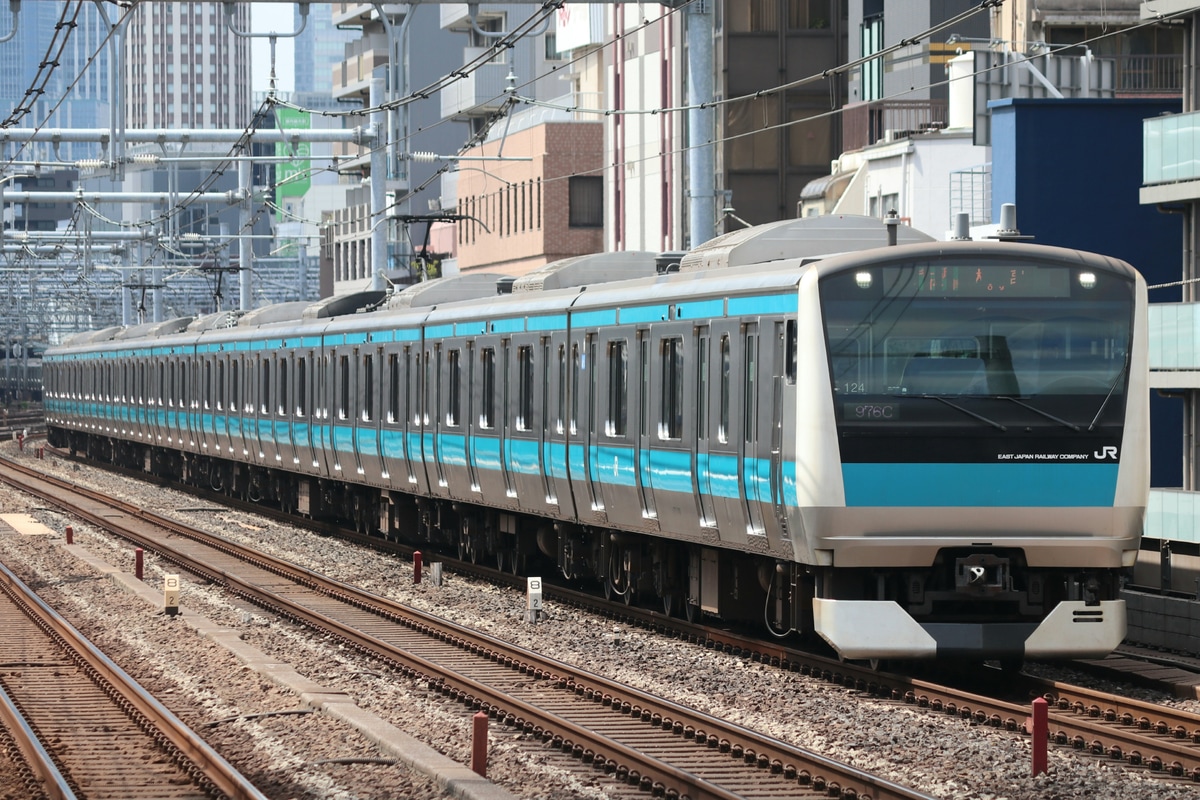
[{"x": 635, "y": 737}]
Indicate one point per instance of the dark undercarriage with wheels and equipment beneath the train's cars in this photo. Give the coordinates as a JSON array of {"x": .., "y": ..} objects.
[{"x": 993, "y": 597}]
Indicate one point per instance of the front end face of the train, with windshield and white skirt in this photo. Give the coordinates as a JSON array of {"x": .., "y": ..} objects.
[{"x": 979, "y": 472}]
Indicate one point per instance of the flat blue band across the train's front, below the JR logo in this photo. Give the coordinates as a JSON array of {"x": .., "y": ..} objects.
[{"x": 981, "y": 485}]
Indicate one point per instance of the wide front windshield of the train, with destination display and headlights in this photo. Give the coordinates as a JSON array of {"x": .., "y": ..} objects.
[{"x": 980, "y": 330}]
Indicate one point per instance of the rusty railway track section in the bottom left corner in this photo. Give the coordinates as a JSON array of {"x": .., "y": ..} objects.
[{"x": 81, "y": 724}]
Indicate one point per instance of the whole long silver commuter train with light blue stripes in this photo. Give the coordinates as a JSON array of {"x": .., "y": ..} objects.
[{"x": 914, "y": 452}]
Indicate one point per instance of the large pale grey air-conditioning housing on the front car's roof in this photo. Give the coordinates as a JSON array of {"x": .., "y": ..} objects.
[{"x": 791, "y": 239}]
